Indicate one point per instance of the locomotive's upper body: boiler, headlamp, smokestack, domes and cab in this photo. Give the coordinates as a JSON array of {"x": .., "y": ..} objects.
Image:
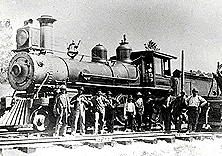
[{"x": 36, "y": 64}]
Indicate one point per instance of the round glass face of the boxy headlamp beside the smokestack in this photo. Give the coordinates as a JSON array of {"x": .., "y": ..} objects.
[{"x": 22, "y": 37}]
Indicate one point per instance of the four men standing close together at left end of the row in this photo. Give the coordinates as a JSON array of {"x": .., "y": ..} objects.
[{"x": 76, "y": 107}]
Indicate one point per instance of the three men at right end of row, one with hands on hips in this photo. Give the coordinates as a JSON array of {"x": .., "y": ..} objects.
[{"x": 174, "y": 108}]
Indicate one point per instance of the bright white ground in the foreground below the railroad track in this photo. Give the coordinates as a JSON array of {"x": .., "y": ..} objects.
[{"x": 179, "y": 148}]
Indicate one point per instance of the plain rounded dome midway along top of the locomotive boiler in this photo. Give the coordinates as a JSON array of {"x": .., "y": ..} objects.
[{"x": 99, "y": 54}]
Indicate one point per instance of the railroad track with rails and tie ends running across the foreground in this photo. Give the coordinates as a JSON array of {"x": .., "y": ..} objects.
[{"x": 32, "y": 142}]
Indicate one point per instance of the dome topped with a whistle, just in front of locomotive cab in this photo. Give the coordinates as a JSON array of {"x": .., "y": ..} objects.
[{"x": 123, "y": 51}]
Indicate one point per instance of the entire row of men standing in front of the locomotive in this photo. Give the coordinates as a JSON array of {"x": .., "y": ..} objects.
[{"x": 133, "y": 111}]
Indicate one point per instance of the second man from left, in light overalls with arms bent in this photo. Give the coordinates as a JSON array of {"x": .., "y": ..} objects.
[{"x": 78, "y": 106}]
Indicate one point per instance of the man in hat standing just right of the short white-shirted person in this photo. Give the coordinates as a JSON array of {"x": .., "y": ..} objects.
[{"x": 139, "y": 110}]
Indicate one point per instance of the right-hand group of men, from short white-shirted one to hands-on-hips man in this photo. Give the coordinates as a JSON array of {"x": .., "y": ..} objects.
[{"x": 172, "y": 109}]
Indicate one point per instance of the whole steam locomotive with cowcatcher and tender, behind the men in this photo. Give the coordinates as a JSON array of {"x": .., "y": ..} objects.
[{"x": 35, "y": 72}]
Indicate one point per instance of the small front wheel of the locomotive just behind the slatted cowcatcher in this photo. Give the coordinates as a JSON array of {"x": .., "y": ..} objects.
[{"x": 40, "y": 120}]
